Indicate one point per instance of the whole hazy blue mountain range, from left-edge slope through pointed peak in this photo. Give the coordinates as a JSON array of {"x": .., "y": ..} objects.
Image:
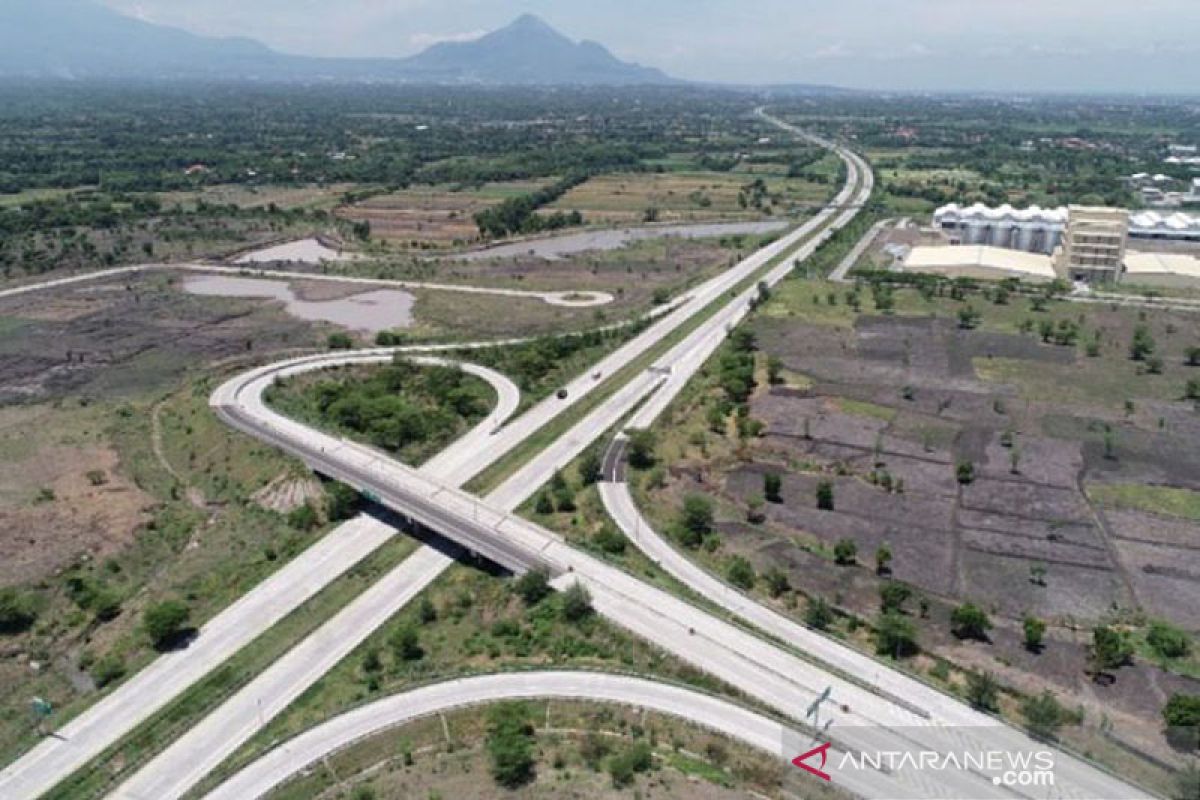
[{"x": 83, "y": 39}]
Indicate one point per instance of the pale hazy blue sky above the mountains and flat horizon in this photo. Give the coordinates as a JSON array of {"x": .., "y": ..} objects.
[{"x": 1025, "y": 45}]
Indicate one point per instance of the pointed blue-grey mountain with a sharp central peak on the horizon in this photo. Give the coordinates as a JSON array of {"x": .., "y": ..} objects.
[{"x": 529, "y": 52}]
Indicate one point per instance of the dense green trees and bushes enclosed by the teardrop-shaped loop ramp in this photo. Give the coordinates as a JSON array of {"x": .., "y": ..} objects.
[{"x": 413, "y": 411}]
